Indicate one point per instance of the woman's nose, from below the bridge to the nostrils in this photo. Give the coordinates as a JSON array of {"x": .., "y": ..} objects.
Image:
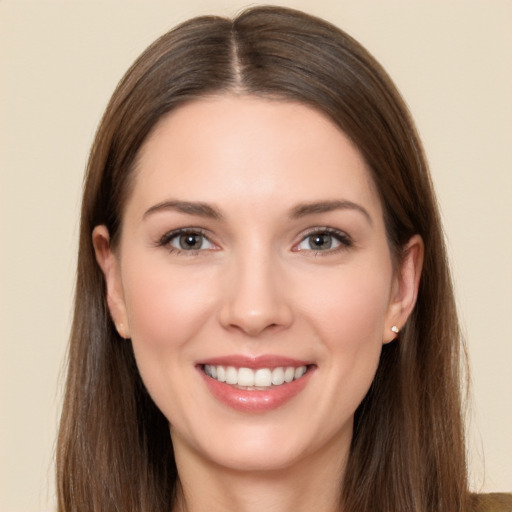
[{"x": 255, "y": 297}]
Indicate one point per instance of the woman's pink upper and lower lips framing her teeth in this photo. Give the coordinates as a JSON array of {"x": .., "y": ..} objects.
[{"x": 255, "y": 401}]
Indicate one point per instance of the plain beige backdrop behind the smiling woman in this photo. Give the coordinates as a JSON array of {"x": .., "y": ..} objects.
[{"x": 59, "y": 62}]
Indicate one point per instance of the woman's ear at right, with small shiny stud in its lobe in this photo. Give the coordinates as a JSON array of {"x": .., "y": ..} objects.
[{"x": 405, "y": 288}]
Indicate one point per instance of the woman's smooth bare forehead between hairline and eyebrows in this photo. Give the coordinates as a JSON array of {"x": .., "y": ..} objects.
[{"x": 222, "y": 148}]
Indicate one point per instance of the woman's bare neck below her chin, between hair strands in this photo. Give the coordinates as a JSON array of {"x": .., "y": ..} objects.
[{"x": 314, "y": 483}]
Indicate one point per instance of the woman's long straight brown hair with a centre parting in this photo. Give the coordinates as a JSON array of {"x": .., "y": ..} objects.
[{"x": 407, "y": 453}]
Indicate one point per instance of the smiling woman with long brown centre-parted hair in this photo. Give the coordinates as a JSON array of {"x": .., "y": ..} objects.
[{"x": 250, "y": 325}]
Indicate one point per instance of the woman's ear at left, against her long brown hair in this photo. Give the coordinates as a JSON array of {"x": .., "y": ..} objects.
[{"x": 109, "y": 264}]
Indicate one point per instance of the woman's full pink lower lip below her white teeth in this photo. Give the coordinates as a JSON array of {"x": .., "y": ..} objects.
[{"x": 255, "y": 400}]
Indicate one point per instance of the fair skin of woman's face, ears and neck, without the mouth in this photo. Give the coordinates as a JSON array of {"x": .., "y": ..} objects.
[{"x": 256, "y": 285}]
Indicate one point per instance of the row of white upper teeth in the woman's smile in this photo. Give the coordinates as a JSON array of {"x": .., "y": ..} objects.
[{"x": 260, "y": 378}]
